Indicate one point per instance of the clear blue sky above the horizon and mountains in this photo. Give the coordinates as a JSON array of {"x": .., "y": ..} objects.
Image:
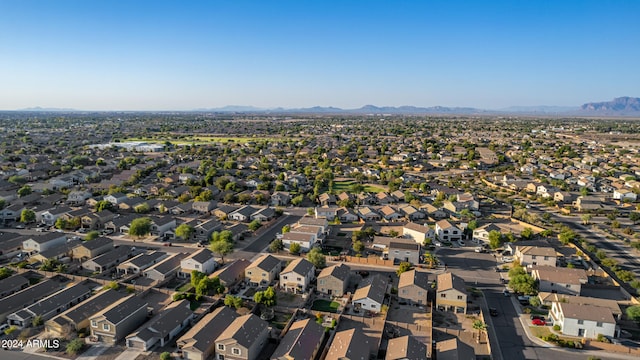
[{"x": 182, "y": 55}]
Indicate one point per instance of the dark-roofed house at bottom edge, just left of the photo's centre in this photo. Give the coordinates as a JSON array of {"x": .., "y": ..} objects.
[{"x": 302, "y": 341}]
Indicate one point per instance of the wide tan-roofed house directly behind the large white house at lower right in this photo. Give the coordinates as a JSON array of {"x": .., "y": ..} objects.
[{"x": 559, "y": 280}]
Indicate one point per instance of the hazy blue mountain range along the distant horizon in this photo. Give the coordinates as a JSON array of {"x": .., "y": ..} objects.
[{"x": 622, "y": 106}]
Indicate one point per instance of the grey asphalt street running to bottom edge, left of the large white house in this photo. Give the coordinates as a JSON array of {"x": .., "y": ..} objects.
[{"x": 478, "y": 270}]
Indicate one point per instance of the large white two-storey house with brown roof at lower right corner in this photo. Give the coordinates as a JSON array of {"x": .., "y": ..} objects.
[{"x": 587, "y": 321}]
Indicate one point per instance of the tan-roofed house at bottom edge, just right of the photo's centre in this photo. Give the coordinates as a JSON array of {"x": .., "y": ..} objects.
[{"x": 350, "y": 344}]
